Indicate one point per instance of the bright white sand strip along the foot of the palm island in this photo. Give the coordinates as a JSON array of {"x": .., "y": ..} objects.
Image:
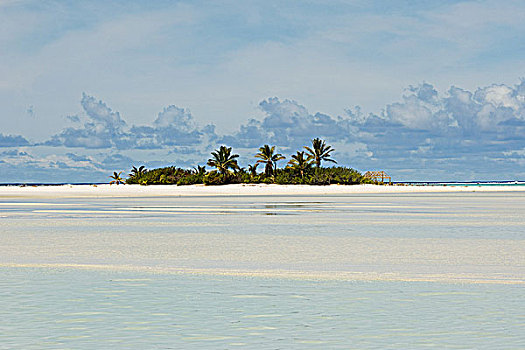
[{"x": 68, "y": 191}]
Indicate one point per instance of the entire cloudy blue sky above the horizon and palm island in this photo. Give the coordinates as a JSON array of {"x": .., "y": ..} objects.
[{"x": 424, "y": 90}]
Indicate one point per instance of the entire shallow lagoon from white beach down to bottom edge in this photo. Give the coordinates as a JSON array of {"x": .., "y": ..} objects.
[{"x": 264, "y": 272}]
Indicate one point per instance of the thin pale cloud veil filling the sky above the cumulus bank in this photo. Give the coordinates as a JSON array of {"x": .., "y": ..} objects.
[{"x": 148, "y": 58}]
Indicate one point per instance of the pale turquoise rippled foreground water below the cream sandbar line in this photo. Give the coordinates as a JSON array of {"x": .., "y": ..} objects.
[{"x": 64, "y": 309}]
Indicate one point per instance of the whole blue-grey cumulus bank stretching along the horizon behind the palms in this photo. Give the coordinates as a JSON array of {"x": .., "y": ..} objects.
[{"x": 427, "y": 135}]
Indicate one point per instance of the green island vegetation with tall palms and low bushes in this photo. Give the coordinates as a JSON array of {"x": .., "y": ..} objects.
[{"x": 303, "y": 168}]
